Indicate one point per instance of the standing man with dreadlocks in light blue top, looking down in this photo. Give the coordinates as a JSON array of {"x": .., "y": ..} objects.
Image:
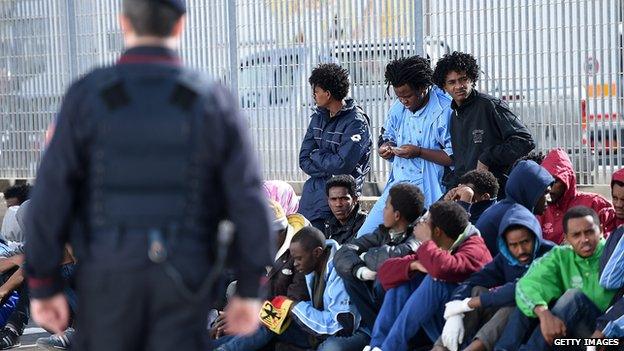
[{"x": 415, "y": 137}]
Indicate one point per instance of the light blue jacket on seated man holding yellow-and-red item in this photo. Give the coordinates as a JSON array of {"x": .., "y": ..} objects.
[{"x": 337, "y": 305}]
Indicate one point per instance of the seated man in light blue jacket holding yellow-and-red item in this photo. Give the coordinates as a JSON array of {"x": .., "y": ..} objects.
[{"x": 329, "y": 321}]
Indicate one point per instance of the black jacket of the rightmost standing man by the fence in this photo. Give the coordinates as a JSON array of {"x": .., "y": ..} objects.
[{"x": 484, "y": 129}]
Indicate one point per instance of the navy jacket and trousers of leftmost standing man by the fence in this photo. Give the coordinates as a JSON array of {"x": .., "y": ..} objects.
[{"x": 333, "y": 146}]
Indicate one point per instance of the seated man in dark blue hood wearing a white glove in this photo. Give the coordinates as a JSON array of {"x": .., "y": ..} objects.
[{"x": 481, "y": 305}]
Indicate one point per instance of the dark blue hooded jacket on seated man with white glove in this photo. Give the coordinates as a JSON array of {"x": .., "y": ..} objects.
[{"x": 501, "y": 274}]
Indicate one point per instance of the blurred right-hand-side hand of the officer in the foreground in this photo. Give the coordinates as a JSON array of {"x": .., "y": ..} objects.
[{"x": 242, "y": 316}]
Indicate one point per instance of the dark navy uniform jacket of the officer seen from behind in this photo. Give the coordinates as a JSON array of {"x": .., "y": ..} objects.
[{"x": 146, "y": 153}]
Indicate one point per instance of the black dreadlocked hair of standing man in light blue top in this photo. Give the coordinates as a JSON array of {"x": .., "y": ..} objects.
[{"x": 415, "y": 71}]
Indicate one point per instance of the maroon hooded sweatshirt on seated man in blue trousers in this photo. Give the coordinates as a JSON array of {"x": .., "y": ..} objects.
[{"x": 467, "y": 255}]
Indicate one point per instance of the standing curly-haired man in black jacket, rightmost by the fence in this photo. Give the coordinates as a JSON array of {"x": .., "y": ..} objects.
[{"x": 484, "y": 131}]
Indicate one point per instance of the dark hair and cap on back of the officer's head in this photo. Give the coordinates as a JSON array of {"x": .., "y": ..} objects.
[{"x": 151, "y": 18}]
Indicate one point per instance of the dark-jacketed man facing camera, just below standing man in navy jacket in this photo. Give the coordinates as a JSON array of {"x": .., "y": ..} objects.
[{"x": 346, "y": 218}]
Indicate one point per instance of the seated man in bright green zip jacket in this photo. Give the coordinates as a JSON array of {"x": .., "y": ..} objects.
[{"x": 560, "y": 296}]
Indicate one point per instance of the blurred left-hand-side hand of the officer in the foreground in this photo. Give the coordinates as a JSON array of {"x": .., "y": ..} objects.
[{"x": 52, "y": 313}]
